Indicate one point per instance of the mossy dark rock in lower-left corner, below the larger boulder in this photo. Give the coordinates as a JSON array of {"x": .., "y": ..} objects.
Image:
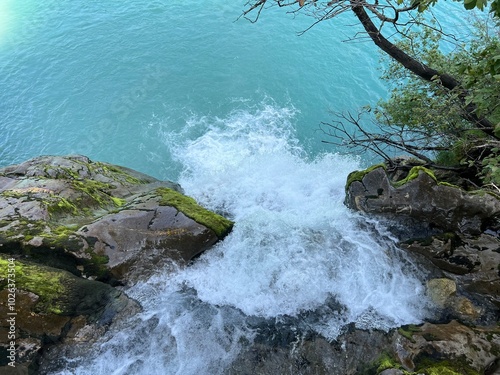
[{"x": 46, "y": 303}]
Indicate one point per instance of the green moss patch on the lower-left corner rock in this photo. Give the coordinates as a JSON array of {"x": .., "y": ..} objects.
[{"x": 46, "y": 284}]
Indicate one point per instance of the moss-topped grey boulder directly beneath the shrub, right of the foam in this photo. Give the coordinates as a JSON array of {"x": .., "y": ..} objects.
[{"x": 421, "y": 197}]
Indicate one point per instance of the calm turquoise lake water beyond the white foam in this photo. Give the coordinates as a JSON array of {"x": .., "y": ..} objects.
[{"x": 110, "y": 79}]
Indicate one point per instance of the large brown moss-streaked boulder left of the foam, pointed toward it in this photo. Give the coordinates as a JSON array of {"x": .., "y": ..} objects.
[{"x": 99, "y": 220}]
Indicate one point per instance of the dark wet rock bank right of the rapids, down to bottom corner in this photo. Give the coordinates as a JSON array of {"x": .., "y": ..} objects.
[{"x": 454, "y": 234}]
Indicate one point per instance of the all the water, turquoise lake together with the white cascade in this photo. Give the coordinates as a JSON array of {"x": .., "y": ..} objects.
[{"x": 231, "y": 110}]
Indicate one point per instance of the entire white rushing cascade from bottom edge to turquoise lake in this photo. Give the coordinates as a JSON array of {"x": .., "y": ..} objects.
[{"x": 295, "y": 248}]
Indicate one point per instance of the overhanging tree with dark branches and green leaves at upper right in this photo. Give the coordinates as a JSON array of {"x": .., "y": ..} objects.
[{"x": 444, "y": 108}]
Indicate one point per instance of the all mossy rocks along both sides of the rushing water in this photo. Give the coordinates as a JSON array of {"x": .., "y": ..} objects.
[{"x": 74, "y": 232}]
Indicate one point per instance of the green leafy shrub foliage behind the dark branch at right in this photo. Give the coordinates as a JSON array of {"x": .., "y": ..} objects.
[{"x": 435, "y": 114}]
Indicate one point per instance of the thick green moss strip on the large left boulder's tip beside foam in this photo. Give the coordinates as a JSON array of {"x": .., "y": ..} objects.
[{"x": 188, "y": 206}]
